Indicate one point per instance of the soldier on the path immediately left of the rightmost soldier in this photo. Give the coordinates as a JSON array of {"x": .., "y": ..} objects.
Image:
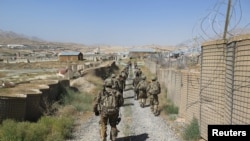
[{"x": 142, "y": 88}]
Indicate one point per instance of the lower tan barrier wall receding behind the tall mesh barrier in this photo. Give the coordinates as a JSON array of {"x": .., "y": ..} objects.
[{"x": 183, "y": 89}]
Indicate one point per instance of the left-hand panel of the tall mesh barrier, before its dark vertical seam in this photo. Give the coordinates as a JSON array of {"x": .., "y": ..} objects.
[{"x": 212, "y": 84}]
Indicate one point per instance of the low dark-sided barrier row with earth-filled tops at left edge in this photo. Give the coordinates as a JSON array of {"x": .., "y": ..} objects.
[{"x": 27, "y": 101}]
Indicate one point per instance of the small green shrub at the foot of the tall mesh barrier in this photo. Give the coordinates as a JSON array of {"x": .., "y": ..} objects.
[{"x": 191, "y": 132}]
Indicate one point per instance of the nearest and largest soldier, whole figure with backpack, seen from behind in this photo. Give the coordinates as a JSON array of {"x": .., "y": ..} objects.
[{"x": 107, "y": 104}]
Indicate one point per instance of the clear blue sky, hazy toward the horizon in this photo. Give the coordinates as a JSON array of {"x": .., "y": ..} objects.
[{"x": 120, "y": 22}]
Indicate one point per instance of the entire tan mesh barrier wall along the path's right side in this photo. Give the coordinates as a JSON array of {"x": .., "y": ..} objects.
[{"x": 220, "y": 92}]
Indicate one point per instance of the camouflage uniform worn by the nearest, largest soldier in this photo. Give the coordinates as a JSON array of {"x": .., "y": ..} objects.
[{"x": 112, "y": 119}]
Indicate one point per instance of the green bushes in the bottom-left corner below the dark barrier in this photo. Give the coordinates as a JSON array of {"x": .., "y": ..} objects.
[{"x": 47, "y": 128}]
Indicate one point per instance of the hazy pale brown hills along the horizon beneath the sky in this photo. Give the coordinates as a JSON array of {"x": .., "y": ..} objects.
[{"x": 10, "y": 37}]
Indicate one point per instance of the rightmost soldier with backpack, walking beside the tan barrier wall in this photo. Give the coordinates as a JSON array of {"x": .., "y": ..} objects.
[{"x": 153, "y": 89}]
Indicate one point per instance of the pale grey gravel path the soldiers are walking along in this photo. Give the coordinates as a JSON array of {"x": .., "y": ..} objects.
[{"x": 137, "y": 124}]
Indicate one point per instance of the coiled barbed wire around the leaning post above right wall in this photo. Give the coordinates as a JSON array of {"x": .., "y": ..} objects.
[{"x": 211, "y": 26}]
